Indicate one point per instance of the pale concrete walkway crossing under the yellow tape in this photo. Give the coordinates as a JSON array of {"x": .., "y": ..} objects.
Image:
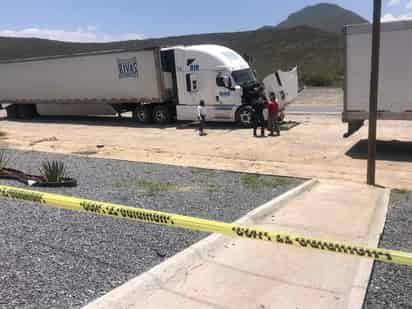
[{"x": 238, "y": 273}]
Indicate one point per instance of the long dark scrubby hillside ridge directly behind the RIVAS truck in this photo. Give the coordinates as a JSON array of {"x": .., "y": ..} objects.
[{"x": 315, "y": 51}]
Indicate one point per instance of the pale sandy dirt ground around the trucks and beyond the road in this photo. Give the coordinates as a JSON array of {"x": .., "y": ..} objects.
[{"x": 314, "y": 148}]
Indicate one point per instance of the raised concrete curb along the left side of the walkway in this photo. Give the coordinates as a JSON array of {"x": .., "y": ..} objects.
[{"x": 127, "y": 294}]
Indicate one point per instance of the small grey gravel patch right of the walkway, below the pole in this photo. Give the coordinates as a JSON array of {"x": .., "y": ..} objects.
[{"x": 391, "y": 285}]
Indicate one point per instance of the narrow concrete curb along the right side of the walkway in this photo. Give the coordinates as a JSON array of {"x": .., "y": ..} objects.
[{"x": 357, "y": 294}]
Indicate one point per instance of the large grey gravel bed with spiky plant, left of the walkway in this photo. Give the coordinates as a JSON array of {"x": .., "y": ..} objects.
[{"x": 54, "y": 258}]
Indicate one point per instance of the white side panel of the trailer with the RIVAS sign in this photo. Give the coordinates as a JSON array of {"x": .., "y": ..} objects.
[{"x": 95, "y": 78}]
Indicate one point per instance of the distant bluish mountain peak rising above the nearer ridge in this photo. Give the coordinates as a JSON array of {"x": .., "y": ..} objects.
[{"x": 323, "y": 16}]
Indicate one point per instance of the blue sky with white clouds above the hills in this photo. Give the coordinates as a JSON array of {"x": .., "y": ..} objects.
[{"x": 108, "y": 20}]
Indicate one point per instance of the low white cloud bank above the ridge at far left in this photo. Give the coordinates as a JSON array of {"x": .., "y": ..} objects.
[{"x": 88, "y": 34}]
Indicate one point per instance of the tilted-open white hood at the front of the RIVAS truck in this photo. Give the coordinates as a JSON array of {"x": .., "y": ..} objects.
[{"x": 284, "y": 84}]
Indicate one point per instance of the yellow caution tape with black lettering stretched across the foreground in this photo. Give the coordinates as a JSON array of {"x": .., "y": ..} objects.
[{"x": 192, "y": 223}]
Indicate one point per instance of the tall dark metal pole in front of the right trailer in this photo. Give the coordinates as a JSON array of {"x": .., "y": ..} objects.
[{"x": 373, "y": 103}]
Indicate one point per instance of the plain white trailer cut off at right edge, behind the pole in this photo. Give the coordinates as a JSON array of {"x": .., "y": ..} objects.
[{"x": 395, "y": 77}]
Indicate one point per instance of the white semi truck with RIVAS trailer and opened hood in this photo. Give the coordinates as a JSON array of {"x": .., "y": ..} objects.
[{"x": 156, "y": 85}]
